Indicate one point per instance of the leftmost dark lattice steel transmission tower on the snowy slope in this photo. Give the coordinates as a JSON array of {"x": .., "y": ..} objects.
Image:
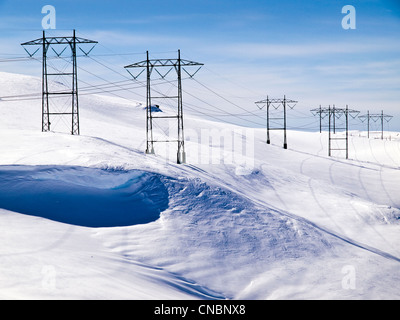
[{"x": 47, "y": 43}]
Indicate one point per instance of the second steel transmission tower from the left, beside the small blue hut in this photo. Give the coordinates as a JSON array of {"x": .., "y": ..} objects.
[{"x": 152, "y": 113}]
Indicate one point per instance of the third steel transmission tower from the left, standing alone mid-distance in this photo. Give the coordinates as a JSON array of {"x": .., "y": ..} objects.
[{"x": 276, "y": 103}]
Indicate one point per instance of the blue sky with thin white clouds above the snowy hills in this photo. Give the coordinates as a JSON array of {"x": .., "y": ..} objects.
[{"x": 250, "y": 48}]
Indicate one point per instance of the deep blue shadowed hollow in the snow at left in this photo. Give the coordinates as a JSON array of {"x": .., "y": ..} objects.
[{"x": 81, "y": 196}]
